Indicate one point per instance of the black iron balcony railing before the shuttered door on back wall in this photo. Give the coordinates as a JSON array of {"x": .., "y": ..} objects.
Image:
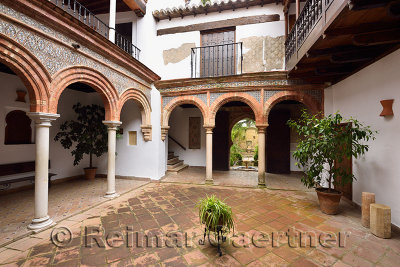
[{"x": 217, "y": 60}]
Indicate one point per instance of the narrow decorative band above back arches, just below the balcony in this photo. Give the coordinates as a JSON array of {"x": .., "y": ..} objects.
[{"x": 231, "y": 85}]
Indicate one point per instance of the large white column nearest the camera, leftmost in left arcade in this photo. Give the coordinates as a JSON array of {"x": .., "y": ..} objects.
[{"x": 42, "y": 126}]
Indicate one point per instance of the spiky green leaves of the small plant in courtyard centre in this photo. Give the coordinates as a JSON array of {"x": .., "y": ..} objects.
[{"x": 213, "y": 212}]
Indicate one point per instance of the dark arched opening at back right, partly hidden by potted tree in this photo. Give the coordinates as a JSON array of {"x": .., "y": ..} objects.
[{"x": 281, "y": 141}]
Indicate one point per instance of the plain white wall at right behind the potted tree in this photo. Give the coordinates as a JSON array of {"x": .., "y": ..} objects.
[{"x": 358, "y": 96}]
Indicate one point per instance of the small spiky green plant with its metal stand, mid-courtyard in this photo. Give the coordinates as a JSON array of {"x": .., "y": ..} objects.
[{"x": 217, "y": 218}]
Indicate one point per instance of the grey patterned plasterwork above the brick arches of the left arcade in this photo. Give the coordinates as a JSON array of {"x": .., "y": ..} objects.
[{"x": 55, "y": 57}]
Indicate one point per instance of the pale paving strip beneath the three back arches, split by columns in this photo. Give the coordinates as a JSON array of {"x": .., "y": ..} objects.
[{"x": 196, "y": 175}]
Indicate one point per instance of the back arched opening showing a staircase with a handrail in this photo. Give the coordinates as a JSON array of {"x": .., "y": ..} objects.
[{"x": 186, "y": 138}]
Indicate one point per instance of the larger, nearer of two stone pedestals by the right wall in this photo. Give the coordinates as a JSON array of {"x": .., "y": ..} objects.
[{"x": 380, "y": 222}]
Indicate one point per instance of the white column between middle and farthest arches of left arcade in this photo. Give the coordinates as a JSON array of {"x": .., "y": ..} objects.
[{"x": 112, "y": 138}]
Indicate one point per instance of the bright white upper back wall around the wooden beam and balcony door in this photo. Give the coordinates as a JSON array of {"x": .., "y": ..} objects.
[{"x": 153, "y": 46}]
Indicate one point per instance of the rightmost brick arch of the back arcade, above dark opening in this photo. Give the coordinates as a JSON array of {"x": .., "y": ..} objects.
[{"x": 299, "y": 96}]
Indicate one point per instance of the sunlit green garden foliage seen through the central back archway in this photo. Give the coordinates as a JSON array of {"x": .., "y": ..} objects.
[{"x": 238, "y": 135}]
